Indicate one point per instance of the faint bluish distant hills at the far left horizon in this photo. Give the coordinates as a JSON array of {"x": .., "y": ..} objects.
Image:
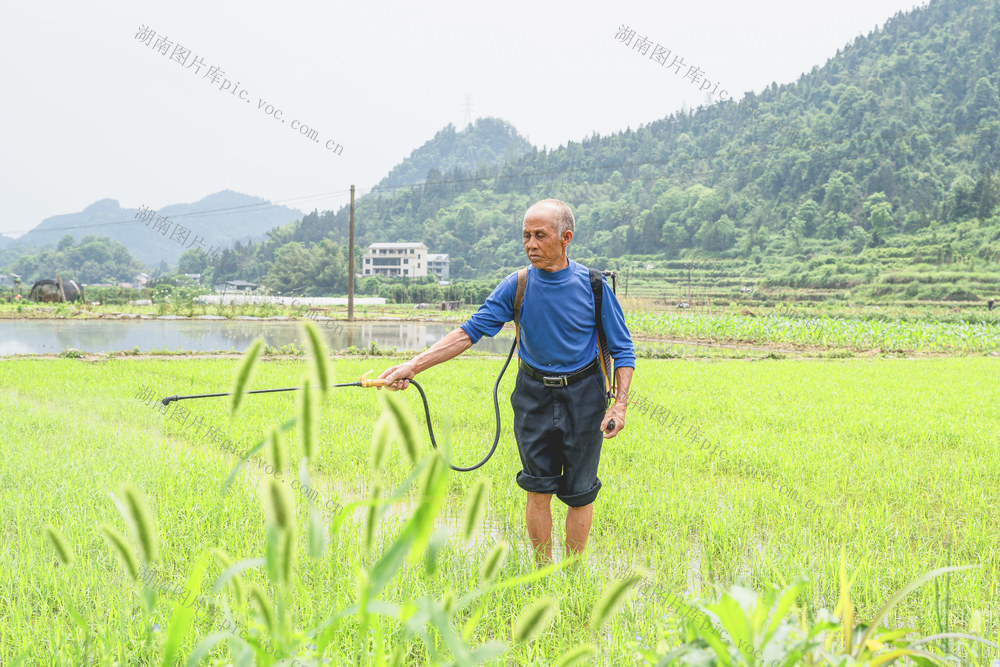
[{"x": 221, "y": 219}]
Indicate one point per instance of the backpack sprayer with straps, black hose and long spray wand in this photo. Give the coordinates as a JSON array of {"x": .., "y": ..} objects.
[{"x": 596, "y": 281}]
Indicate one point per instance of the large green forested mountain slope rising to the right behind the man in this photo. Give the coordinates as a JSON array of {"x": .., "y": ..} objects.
[{"x": 885, "y": 157}]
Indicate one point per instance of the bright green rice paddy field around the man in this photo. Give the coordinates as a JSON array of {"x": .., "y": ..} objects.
[{"x": 766, "y": 470}]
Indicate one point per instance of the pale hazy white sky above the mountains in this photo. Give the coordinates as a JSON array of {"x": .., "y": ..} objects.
[{"x": 91, "y": 112}]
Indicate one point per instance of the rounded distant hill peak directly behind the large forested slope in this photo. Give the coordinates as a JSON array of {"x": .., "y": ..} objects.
[{"x": 486, "y": 143}]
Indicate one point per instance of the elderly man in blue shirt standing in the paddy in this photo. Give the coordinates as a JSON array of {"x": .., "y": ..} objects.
[{"x": 560, "y": 403}]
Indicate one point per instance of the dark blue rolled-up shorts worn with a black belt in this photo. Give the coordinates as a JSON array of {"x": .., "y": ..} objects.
[{"x": 558, "y": 432}]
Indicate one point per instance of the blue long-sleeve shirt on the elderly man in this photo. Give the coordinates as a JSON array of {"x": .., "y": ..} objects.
[{"x": 558, "y": 332}]
